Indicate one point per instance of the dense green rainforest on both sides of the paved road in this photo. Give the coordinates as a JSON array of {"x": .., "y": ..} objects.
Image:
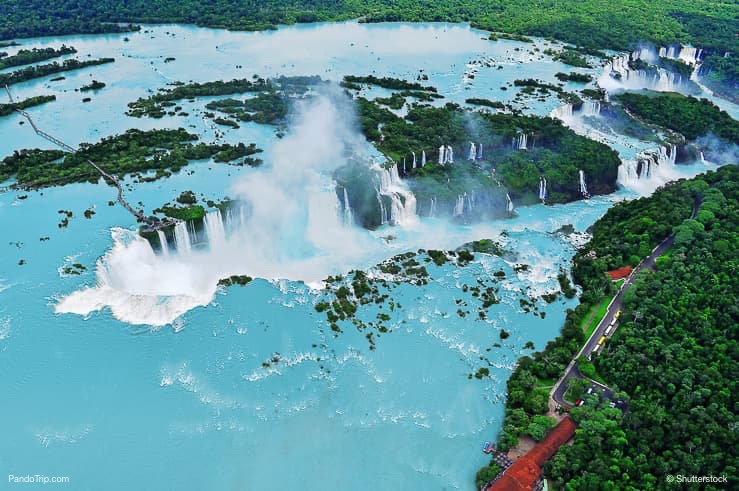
[{"x": 673, "y": 358}]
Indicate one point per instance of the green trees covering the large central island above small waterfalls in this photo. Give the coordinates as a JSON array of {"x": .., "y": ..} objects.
[{"x": 555, "y": 152}]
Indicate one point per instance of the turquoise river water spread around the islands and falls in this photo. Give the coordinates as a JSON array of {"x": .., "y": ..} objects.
[{"x": 167, "y": 401}]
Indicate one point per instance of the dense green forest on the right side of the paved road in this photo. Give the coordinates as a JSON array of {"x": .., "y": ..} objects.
[{"x": 672, "y": 356}]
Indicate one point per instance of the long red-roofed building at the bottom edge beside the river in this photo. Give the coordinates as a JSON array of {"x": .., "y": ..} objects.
[{"x": 526, "y": 471}]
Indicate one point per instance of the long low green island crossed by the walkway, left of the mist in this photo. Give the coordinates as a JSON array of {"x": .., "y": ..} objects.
[{"x": 134, "y": 152}]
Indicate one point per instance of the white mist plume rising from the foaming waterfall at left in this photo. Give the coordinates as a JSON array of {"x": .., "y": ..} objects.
[{"x": 293, "y": 228}]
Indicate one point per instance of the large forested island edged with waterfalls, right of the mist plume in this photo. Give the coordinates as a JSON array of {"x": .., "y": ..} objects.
[{"x": 516, "y": 153}]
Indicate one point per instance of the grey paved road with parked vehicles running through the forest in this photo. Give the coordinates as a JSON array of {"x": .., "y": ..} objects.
[{"x": 571, "y": 371}]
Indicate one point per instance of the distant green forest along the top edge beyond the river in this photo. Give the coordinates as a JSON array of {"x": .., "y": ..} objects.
[{"x": 590, "y": 25}]
